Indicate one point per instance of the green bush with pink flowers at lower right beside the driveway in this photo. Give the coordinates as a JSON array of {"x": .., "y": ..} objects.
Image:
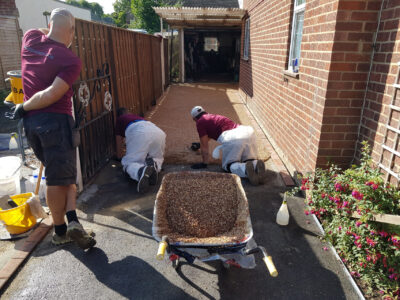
[{"x": 370, "y": 249}]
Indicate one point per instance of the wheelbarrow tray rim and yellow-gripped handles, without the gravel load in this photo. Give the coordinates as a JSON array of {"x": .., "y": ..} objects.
[{"x": 237, "y": 252}]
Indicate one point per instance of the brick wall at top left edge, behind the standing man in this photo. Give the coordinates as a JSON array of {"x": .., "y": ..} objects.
[{"x": 10, "y": 37}]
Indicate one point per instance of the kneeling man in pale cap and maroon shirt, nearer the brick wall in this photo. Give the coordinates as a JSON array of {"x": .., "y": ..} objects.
[{"x": 238, "y": 143}]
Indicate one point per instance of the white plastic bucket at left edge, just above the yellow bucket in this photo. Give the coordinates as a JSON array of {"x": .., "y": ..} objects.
[{"x": 10, "y": 170}]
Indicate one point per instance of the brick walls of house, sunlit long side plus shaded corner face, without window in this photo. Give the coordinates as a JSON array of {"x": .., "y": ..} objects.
[{"x": 314, "y": 118}]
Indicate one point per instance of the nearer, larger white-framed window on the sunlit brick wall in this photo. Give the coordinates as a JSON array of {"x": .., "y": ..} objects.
[{"x": 297, "y": 32}]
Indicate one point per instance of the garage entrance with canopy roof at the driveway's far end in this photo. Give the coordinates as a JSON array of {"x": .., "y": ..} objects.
[{"x": 209, "y": 42}]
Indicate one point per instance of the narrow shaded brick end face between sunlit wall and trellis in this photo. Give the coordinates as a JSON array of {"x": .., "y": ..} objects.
[{"x": 356, "y": 23}]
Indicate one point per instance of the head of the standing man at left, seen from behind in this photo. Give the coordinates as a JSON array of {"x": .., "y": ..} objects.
[{"x": 62, "y": 26}]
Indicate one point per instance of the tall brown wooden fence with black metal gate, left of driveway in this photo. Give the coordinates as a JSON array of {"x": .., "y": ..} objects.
[{"x": 120, "y": 68}]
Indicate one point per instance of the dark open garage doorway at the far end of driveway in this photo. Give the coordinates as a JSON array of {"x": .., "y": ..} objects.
[{"x": 212, "y": 55}]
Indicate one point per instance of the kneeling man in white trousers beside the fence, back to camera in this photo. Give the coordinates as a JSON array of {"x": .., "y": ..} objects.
[{"x": 145, "y": 145}]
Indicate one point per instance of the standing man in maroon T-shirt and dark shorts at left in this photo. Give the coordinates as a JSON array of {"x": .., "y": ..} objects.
[{"x": 48, "y": 70}]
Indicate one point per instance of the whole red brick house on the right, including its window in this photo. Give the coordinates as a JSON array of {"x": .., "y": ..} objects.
[{"x": 319, "y": 77}]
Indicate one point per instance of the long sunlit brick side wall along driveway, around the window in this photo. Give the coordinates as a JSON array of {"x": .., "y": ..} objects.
[{"x": 289, "y": 109}]
